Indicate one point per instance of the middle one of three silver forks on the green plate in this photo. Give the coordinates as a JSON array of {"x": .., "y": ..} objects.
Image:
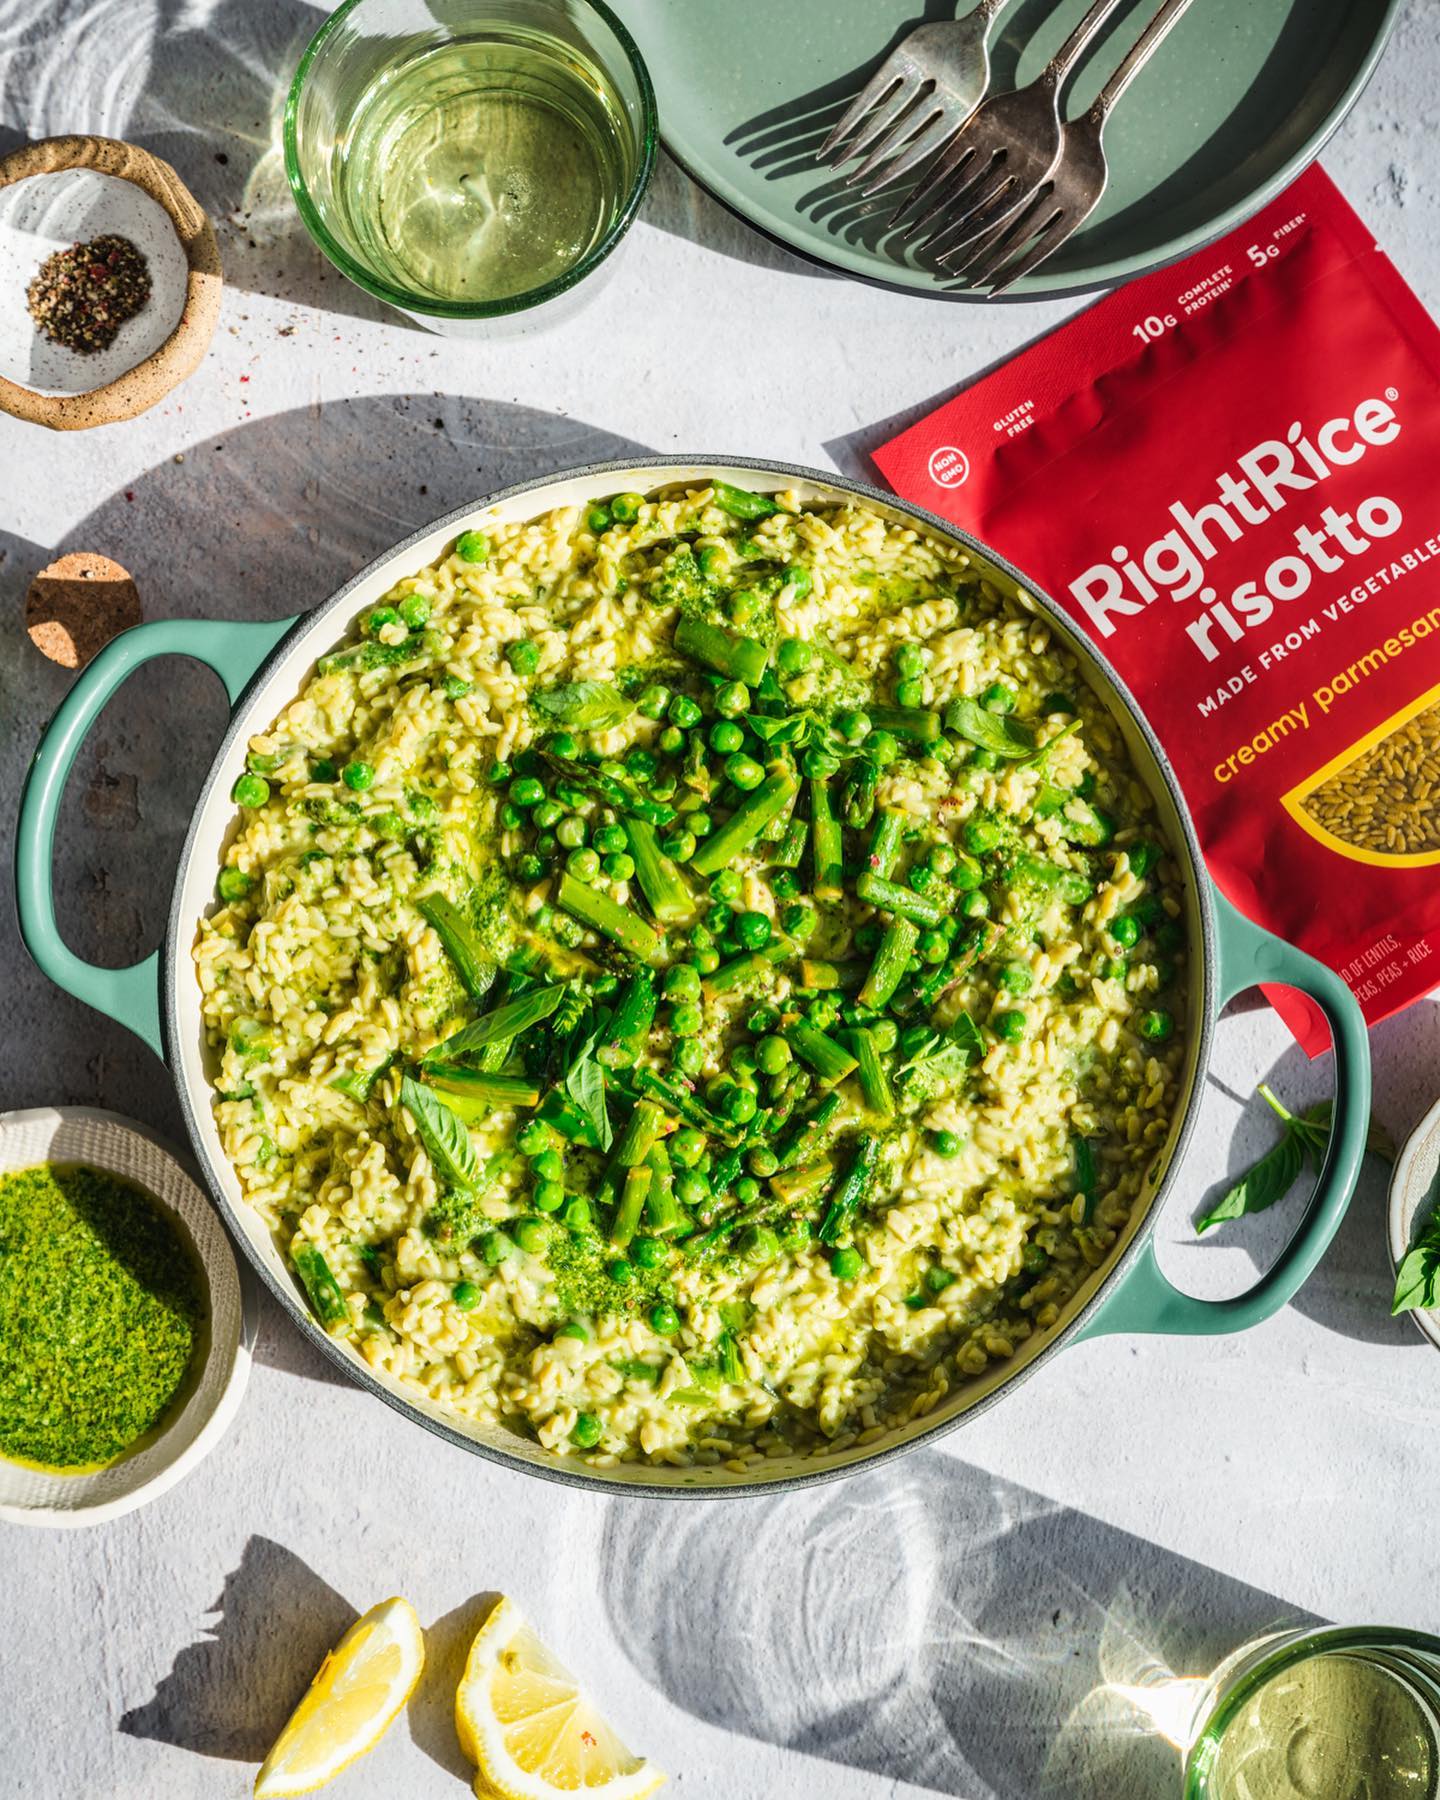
[{"x": 1000, "y": 157}]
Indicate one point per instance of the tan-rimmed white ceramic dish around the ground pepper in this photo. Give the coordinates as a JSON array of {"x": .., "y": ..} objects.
[{"x": 73, "y": 190}]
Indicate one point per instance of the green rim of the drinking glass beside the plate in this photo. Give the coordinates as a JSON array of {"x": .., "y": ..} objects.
[{"x": 512, "y": 303}]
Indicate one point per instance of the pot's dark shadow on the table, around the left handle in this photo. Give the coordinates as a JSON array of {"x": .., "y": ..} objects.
[{"x": 262, "y": 521}]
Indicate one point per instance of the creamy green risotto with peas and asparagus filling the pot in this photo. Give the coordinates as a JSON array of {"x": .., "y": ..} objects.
[{"x": 696, "y": 978}]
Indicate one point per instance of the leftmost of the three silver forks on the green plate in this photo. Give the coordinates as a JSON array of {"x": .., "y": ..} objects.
[{"x": 915, "y": 102}]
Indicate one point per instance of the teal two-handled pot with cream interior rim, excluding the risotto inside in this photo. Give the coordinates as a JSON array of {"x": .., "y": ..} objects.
[{"x": 264, "y": 667}]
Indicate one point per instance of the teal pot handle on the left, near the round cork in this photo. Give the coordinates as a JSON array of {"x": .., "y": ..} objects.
[{"x": 235, "y": 652}]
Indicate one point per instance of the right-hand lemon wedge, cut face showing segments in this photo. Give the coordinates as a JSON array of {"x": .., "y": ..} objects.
[{"x": 532, "y": 1731}]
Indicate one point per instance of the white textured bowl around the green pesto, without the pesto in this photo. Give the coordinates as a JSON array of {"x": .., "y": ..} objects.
[{"x": 120, "y": 1146}]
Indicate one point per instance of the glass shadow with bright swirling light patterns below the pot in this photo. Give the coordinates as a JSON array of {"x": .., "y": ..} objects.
[{"x": 931, "y": 1624}]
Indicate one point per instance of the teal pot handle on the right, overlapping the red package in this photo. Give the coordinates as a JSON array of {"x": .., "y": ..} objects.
[{"x": 1144, "y": 1300}]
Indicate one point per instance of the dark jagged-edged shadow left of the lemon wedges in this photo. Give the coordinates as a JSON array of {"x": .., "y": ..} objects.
[{"x": 231, "y": 1691}]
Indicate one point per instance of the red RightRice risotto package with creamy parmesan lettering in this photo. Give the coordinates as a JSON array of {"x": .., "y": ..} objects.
[{"x": 1228, "y": 474}]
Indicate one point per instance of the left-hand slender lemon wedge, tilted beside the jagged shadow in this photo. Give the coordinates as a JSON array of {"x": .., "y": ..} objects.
[{"x": 350, "y": 1705}]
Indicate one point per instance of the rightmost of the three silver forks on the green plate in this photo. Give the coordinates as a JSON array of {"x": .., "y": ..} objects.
[{"x": 1072, "y": 192}]
